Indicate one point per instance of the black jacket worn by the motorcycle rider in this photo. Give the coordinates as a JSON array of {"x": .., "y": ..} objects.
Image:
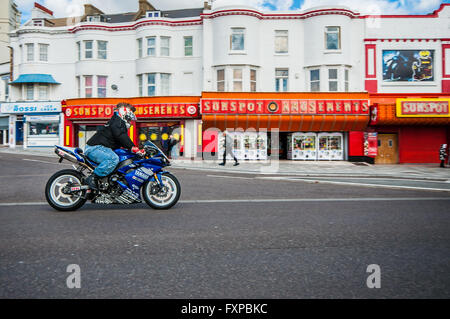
[{"x": 113, "y": 135}]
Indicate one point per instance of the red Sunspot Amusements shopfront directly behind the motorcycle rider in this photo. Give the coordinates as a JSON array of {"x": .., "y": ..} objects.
[{"x": 157, "y": 119}]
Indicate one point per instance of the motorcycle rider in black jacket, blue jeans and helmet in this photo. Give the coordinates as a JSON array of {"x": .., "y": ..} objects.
[{"x": 113, "y": 135}]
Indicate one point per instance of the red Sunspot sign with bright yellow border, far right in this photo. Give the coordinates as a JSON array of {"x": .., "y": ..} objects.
[{"x": 423, "y": 108}]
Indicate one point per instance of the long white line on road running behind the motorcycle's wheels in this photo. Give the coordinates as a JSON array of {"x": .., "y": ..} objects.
[{"x": 274, "y": 200}]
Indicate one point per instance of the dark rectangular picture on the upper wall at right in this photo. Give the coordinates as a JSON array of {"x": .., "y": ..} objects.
[{"x": 408, "y": 65}]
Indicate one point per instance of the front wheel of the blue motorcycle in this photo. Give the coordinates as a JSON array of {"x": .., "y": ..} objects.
[{"x": 165, "y": 197}]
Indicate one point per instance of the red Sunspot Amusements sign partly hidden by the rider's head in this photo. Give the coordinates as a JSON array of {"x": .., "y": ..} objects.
[{"x": 142, "y": 110}]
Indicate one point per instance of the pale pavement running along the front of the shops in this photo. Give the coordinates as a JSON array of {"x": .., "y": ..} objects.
[{"x": 297, "y": 168}]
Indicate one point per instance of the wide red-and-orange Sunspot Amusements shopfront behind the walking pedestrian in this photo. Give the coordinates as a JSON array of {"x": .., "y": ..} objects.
[{"x": 307, "y": 126}]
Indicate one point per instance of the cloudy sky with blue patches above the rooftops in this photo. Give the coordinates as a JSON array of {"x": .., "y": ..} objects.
[{"x": 65, "y": 8}]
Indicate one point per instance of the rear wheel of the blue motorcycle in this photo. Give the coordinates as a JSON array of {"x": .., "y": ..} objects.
[{"x": 56, "y": 190}]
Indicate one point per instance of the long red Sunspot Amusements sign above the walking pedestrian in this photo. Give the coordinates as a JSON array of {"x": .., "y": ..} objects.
[{"x": 288, "y": 107}]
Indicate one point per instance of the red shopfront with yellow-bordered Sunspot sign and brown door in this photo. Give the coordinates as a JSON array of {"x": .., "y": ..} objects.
[{"x": 410, "y": 128}]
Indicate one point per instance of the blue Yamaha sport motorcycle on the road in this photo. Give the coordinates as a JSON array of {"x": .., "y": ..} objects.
[{"x": 134, "y": 178}]
